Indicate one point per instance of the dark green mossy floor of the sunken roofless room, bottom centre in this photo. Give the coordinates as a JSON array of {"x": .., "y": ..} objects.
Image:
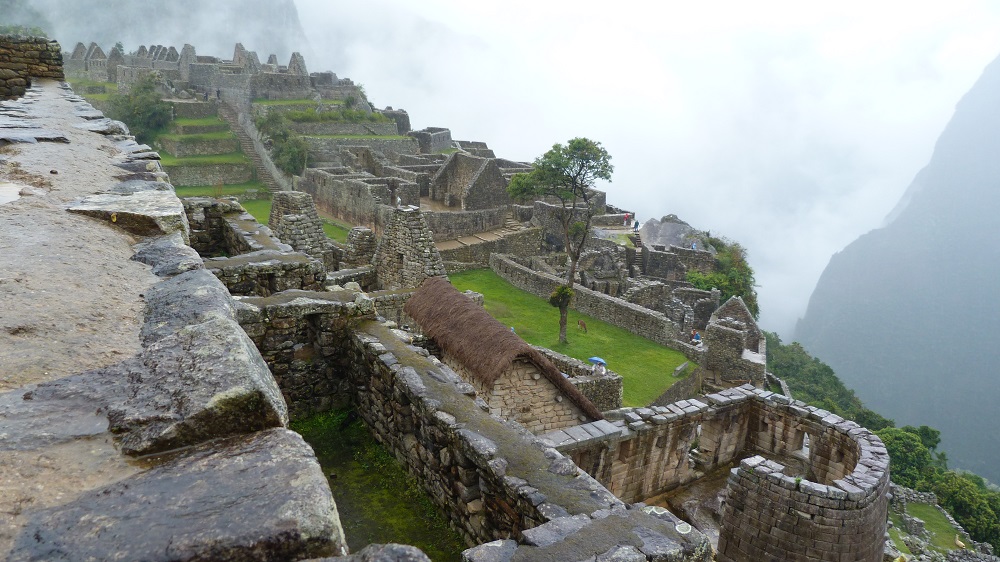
[{"x": 378, "y": 501}]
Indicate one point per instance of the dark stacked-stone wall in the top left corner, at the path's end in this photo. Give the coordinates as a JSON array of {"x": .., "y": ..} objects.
[{"x": 24, "y": 58}]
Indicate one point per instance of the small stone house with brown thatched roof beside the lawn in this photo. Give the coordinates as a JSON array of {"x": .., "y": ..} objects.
[{"x": 516, "y": 381}]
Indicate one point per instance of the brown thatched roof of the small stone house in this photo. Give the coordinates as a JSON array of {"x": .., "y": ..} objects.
[{"x": 479, "y": 342}]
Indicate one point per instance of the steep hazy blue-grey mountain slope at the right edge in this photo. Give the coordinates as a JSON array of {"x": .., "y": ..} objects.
[{"x": 907, "y": 314}]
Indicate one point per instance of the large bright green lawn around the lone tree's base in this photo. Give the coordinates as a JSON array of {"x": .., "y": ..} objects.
[{"x": 646, "y": 367}]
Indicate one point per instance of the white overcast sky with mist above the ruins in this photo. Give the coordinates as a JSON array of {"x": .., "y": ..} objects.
[{"x": 792, "y": 127}]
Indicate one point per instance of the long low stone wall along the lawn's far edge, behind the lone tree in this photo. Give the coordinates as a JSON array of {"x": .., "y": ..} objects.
[{"x": 634, "y": 318}]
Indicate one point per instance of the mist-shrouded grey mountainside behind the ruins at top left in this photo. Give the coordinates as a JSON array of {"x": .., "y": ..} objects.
[{"x": 213, "y": 27}]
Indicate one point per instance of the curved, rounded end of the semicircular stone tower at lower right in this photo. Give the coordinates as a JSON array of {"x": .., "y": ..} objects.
[{"x": 838, "y": 514}]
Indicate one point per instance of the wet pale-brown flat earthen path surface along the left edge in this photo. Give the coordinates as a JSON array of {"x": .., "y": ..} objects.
[{"x": 71, "y": 300}]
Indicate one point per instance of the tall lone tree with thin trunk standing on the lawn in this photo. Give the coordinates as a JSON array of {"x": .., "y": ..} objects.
[{"x": 566, "y": 173}]
